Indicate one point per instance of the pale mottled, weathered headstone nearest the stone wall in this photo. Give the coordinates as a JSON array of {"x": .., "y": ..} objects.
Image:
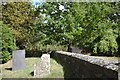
[{"x": 42, "y": 67}]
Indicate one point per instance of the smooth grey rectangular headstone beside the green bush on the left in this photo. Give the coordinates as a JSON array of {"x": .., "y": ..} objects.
[{"x": 18, "y": 60}]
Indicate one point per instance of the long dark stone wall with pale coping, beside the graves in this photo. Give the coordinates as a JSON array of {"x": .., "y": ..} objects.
[{"x": 83, "y": 66}]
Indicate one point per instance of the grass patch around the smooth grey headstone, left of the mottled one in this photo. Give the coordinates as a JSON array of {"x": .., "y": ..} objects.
[{"x": 25, "y": 73}]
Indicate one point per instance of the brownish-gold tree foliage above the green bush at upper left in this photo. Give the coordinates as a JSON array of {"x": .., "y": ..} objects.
[{"x": 19, "y": 16}]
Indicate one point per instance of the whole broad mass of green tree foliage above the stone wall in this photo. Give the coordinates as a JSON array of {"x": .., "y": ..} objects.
[{"x": 80, "y": 24}]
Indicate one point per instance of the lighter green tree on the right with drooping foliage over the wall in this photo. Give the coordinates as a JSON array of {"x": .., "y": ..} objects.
[{"x": 99, "y": 32}]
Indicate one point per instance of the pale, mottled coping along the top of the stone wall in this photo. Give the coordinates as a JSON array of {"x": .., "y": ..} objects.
[{"x": 92, "y": 59}]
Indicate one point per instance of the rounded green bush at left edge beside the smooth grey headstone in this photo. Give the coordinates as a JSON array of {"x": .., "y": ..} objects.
[{"x": 8, "y": 42}]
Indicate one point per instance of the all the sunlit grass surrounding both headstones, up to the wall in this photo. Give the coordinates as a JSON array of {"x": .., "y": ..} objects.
[{"x": 56, "y": 70}]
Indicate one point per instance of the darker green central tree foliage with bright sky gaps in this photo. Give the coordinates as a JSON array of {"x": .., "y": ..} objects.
[{"x": 59, "y": 25}]
